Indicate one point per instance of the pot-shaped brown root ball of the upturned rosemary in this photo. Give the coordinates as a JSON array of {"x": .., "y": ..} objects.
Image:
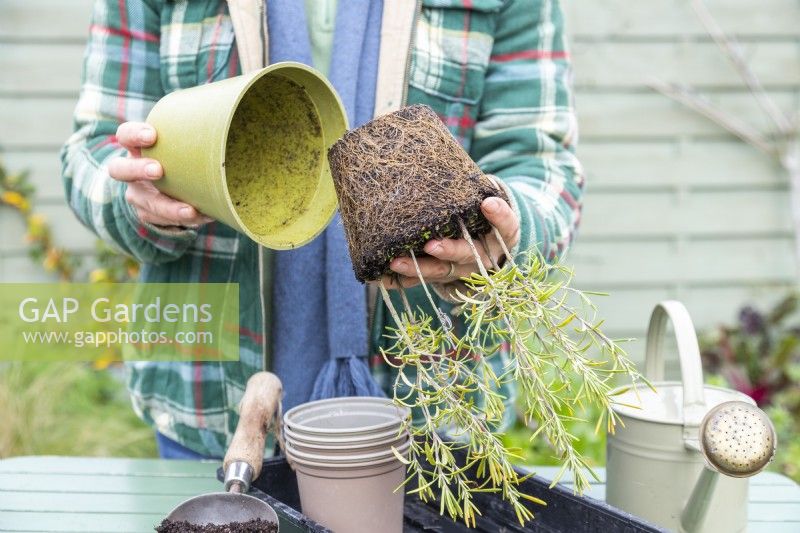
[{"x": 402, "y": 179}]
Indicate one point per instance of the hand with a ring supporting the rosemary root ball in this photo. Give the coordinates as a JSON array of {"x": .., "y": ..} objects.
[{"x": 452, "y": 259}]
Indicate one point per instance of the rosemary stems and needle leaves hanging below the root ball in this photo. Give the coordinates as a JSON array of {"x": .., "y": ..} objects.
[{"x": 560, "y": 361}]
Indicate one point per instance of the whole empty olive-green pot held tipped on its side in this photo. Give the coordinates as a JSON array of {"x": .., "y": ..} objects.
[{"x": 251, "y": 151}]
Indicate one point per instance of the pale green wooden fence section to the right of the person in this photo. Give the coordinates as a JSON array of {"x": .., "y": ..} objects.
[{"x": 675, "y": 207}]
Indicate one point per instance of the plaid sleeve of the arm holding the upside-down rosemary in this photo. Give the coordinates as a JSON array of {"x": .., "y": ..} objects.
[{"x": 526, "y": 129}]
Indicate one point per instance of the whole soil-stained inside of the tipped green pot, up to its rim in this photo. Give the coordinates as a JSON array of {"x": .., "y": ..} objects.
[{"x": 276, "y": 171}]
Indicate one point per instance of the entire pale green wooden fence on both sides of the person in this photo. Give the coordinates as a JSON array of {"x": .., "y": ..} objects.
[{"x": 675, "y": 209}]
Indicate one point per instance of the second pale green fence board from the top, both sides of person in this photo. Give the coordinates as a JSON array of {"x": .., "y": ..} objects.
[{"x": 47, "y": 69}]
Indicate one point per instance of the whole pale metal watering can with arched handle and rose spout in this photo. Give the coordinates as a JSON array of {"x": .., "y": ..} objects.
[{"x": 664, "y": 464}]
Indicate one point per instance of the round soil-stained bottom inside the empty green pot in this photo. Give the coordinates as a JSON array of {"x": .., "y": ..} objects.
[{"x": 274, "y": 147}]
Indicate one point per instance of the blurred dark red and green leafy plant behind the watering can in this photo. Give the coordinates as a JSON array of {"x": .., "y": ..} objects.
[{"x": 760, "y": 356}]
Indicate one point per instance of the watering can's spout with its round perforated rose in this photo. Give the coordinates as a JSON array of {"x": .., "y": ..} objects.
[{"x": 737, "y": 439}]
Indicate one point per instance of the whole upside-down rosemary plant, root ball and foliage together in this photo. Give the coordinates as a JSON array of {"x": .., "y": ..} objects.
[{"x": 402, "y": 180}]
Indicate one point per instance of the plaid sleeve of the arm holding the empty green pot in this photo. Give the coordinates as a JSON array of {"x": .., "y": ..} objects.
[{"x": 121, "y": 82}]
